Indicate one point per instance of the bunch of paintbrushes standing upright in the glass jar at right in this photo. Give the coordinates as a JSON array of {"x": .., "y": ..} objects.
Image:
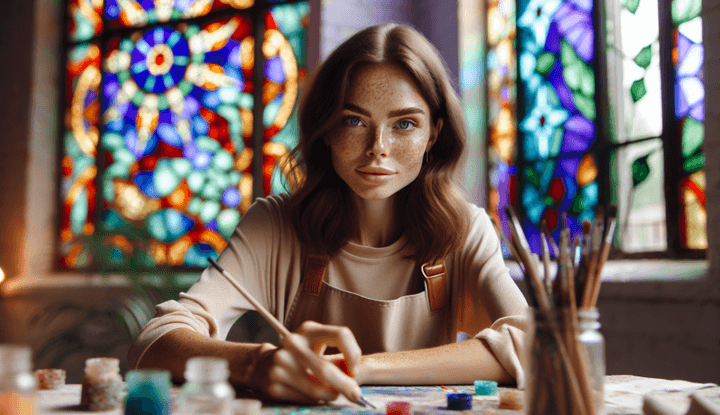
[{"x": 577, "y": 283}]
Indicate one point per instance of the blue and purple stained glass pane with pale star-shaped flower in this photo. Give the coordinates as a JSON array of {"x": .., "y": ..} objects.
[{"x": 559, "y": 173}]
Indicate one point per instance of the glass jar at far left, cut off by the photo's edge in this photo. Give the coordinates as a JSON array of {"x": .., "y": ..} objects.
[{"x": 18, "y": 394}]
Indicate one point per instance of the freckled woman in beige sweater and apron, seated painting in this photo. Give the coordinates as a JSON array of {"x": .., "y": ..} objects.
[{"x": 375, "y": 254}]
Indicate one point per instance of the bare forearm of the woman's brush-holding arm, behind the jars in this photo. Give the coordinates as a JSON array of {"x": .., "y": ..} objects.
[{"x": 171, "y": 351}]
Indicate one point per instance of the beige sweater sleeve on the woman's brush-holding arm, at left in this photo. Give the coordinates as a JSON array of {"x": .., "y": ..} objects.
[{"x": 212, "y": 305}]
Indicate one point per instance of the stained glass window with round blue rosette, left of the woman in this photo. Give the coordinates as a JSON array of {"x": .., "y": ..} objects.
[{"x": 160, "y": 152}]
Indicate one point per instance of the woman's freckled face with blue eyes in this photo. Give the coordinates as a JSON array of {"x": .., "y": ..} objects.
[{"x": 385, "y": 130}]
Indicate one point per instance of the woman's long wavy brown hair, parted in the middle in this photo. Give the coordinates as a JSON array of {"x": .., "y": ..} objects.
[{"x": 432, "y": 212}]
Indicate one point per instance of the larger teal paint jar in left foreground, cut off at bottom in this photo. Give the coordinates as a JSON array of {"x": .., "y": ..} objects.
[{"x": 148, "y": 392}]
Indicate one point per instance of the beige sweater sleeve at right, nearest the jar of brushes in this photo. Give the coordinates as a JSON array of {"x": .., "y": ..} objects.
[{"x": 496, "y": 297}]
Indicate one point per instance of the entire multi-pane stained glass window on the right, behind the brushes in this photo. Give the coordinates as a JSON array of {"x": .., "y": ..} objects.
[{"x": 622, "y": 138}]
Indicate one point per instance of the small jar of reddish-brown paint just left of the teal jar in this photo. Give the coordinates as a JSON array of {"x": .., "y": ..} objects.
[{"x": 102, "y": 384}]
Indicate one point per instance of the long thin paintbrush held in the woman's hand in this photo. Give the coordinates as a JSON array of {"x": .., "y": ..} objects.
[{"x": 314, "y": 360}]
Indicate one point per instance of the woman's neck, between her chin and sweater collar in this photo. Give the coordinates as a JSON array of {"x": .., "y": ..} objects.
[{"x": 377, "y": 224}]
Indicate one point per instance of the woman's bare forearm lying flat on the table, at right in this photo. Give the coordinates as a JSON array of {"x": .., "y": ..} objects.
[{"x": 451, "y": 364}]
